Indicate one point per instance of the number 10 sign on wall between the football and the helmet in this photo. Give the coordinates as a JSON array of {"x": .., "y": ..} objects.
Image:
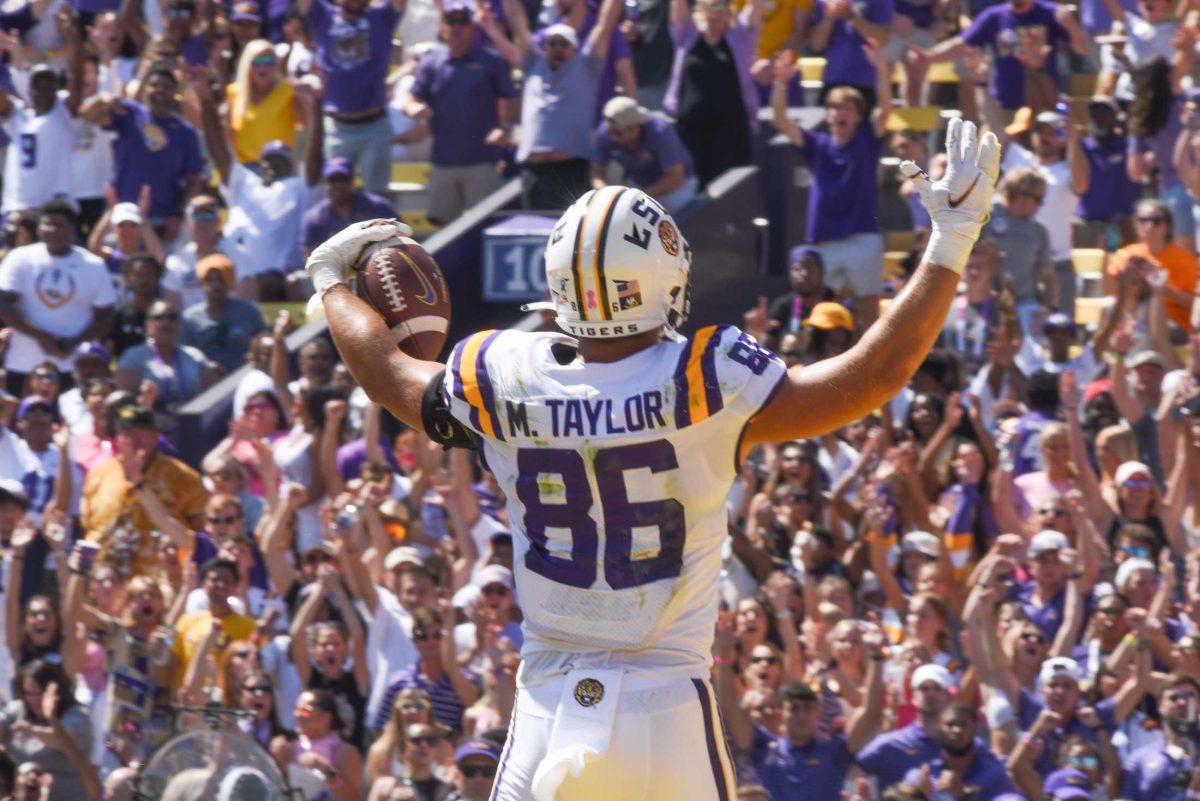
[{"x": 514, "y": 258}]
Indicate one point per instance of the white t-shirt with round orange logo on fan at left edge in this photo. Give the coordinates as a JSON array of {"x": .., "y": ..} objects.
[{"x": 58, "y": 296}]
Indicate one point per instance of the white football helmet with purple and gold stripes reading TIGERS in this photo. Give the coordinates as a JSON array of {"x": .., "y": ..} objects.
[{"x": 617, "y": 266}]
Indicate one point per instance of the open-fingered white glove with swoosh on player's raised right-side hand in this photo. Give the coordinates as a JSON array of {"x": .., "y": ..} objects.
[{"x": 958, "y": 204}]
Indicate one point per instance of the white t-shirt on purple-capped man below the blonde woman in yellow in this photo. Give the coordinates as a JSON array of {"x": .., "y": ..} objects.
[{"x": 265, "y": 221}]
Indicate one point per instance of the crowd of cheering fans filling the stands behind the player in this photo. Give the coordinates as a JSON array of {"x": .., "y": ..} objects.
[{"x": 988, "y": 589}]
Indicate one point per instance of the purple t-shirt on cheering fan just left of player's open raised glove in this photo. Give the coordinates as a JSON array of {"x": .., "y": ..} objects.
[{"x": 844, "y": 200}]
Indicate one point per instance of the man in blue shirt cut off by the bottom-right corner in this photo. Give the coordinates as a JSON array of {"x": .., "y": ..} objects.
[{"x": 1168, "y": 772}]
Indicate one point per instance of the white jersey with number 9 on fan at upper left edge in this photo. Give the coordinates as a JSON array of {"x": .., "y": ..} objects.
[{"x": 38, "y": 167}]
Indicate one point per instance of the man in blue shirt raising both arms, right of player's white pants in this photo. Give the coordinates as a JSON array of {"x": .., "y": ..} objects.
[{"x": 799, "y": 764}]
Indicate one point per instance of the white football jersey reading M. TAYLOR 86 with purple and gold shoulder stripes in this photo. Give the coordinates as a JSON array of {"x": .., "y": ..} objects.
[{"x": 616, "y": 477}]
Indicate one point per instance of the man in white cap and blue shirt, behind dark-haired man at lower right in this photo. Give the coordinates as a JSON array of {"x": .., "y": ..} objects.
[{"x": 891, "y": 756}]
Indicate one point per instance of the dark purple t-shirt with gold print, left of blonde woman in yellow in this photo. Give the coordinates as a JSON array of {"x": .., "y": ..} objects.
[{"x": 157, "y": 152}]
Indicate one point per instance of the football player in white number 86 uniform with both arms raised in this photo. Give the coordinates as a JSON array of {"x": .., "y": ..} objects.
[{"x": 616, "y": 448}]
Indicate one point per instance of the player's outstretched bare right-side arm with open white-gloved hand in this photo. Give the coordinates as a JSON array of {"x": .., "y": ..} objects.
[{"x": 847, "y": 388}]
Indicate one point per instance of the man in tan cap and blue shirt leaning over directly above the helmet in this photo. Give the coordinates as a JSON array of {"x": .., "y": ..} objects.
[{"x": 649, "y": 150}]
